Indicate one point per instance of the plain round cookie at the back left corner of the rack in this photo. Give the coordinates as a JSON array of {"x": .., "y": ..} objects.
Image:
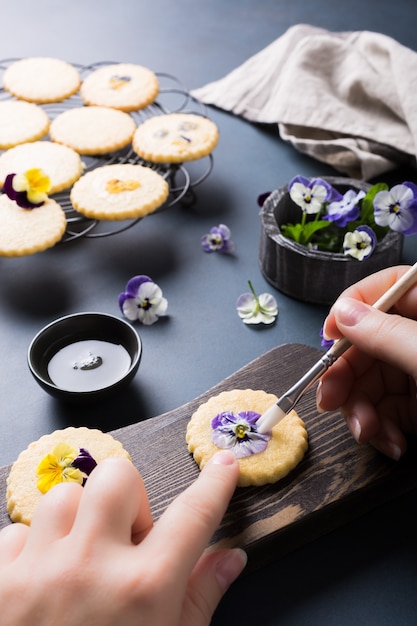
[{"x": 41, "y": 79}]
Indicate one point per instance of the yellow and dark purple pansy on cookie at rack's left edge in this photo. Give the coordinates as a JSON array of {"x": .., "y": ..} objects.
[{"x": 29, "y": 190}]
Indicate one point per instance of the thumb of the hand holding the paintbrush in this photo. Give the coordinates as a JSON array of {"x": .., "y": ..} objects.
[{"x": 387, "y": 337}]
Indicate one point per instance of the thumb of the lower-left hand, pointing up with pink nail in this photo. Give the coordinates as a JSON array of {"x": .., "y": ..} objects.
[{"x": 209, "y": 581}]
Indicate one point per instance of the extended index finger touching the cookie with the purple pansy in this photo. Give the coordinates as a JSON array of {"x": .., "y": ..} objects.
[{"x": 188, "y": 524}]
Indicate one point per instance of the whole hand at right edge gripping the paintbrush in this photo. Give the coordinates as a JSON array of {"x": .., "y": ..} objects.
[{"x": 374, "y": 382}]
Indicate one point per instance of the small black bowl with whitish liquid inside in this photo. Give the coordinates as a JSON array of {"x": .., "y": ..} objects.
[{"x": 92, "y": 355}]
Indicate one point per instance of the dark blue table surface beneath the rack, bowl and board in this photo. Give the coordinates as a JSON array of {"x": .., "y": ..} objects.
[{"x": 366, "y": 571}]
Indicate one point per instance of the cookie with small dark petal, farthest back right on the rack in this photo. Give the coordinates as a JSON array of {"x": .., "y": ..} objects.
[{"x": 122, "y": 86}]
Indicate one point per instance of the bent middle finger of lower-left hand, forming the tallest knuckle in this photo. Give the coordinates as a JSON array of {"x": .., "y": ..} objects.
[{"x": 114, "y": 504}]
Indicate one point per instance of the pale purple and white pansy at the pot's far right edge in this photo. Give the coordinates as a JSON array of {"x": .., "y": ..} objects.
[{"x": 397, "y": 208}]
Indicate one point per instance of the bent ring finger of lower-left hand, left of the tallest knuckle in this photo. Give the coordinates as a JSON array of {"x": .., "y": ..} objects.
[{"x": 55, "y": 514}]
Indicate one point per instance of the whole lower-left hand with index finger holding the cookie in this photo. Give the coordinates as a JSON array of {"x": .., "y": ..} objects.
[{"x": 93, "y": 555}]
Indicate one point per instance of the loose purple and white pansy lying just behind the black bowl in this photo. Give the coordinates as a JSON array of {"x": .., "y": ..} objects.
[{"x": 143, "y": 300}]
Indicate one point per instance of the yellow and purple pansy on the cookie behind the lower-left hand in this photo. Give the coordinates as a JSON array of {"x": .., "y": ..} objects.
[{"x": 64, "y": 464}]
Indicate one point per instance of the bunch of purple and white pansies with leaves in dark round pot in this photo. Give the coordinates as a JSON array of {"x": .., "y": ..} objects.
[{"x": 351, "y": 223}]
